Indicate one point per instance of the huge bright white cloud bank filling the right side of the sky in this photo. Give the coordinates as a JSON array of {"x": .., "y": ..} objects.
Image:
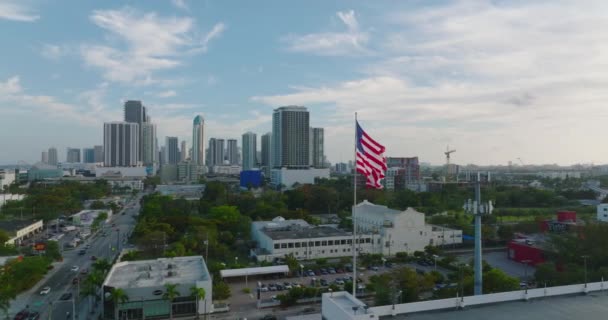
[{"x": 495, "y": 81}]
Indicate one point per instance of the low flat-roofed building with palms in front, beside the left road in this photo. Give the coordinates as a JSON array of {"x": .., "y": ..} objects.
[{"x": 144, "y": 283}]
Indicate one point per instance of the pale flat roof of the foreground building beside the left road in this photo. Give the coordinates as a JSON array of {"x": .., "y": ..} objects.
[{"x": 152, "y": 273}]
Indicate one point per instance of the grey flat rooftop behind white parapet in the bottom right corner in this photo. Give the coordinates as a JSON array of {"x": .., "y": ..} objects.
[{"x": 589, "y": 307}]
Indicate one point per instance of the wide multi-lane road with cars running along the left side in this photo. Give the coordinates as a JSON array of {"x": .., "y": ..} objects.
[{"x": 60, "y": 282}]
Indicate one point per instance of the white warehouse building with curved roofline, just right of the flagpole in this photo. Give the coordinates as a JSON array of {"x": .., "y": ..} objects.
[{"x": 401, "y": 231}]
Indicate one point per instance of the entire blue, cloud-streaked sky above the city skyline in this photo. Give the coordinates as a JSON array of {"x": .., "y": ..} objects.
[{"x": 494, "y": 80}]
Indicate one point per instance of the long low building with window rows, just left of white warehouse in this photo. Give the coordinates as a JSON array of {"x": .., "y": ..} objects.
[{"x": 281, "y": 237}]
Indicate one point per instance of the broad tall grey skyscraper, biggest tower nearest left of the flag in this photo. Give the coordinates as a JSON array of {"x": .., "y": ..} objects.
[{"x": 291, "y": 137}]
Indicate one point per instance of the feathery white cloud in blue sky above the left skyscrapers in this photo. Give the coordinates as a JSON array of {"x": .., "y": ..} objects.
[{"x": 150, "y": 43}]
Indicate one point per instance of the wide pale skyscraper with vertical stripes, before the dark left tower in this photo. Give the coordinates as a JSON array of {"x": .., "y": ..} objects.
[{"x": 120, "y": 144}]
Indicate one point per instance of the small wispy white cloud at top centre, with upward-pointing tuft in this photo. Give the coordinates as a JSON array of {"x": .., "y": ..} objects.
[{"x": 350, "y": 42}]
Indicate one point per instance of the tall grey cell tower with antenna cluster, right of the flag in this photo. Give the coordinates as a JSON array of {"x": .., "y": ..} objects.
[{"x": 477, "y": 209}]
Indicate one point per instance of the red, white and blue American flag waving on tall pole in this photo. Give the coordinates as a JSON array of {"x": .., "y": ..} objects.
[{"x": 370, "y": 159}]
